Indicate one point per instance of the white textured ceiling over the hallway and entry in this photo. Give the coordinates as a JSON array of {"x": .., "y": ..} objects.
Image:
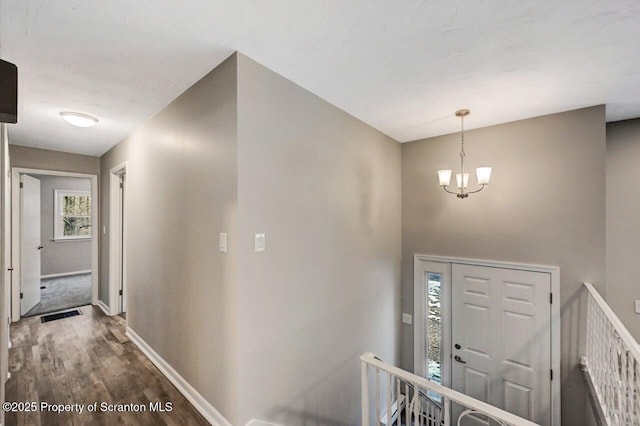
[{"x": 403, "y": 67}]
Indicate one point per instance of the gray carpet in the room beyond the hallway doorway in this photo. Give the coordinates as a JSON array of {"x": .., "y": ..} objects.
[{"x": 62, "y": 293}]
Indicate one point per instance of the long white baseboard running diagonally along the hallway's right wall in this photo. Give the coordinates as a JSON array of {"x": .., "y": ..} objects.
[{"x": 207, "y": 410}]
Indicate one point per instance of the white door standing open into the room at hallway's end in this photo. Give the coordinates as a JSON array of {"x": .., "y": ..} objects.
[{"x": 29, "y": 243}]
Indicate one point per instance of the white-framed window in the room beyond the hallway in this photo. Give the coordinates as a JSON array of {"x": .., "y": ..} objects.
[{"x": 72, "y": 215}]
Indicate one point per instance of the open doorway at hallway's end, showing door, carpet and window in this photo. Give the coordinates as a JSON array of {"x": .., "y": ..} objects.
[{"x": 54, "y": 245}]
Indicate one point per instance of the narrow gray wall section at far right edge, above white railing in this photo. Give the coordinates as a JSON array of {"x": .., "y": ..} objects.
[{"x": 623, "y": 221}]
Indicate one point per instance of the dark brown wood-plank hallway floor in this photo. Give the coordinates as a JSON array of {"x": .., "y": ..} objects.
[{"x": 84, "y": 360}]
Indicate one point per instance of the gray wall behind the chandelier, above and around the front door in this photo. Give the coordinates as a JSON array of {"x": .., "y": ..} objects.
[{"x": 545, "y": 205}]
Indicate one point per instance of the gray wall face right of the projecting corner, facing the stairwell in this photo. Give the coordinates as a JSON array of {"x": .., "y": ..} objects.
[{"x": 325, "y": 189}]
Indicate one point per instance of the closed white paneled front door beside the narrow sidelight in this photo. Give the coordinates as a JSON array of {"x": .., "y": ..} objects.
[{"x": 501, "y": 340}]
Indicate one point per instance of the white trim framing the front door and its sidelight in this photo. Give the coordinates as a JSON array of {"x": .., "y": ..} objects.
[{"x": 554, "y": 271}]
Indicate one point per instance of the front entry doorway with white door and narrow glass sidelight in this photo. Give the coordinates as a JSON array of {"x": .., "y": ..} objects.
[{"x": 490, "y": 331}]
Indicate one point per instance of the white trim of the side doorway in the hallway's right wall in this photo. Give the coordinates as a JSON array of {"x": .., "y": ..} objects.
[{"x": 114, "y": 239}]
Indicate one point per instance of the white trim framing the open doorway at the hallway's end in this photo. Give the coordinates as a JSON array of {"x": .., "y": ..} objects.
[{"x": 15, "y": 231}]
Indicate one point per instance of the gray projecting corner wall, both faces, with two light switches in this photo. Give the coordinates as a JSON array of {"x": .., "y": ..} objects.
[{"x": 275, "y": 335}]
